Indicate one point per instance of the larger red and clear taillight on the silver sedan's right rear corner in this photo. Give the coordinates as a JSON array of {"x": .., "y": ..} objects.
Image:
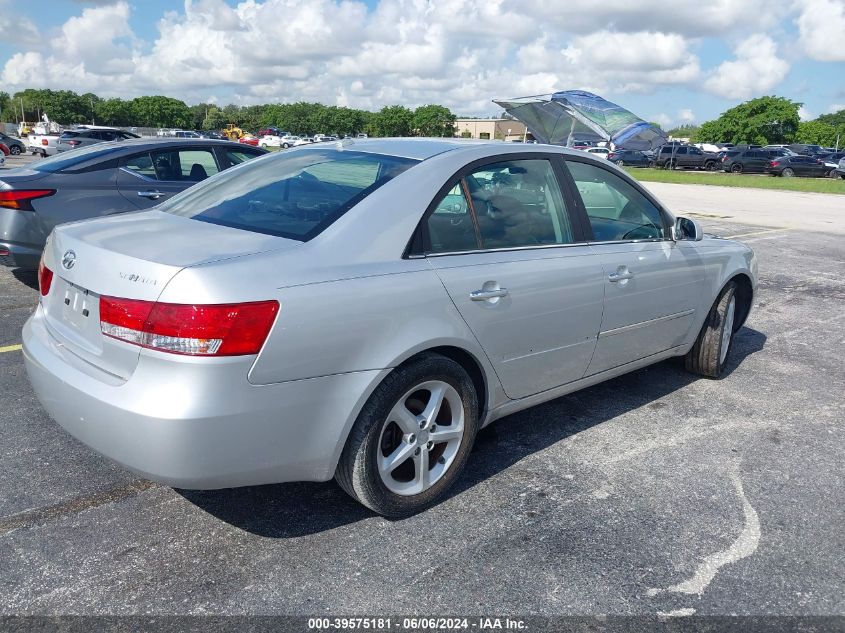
[{"x": 230, "y": 329}]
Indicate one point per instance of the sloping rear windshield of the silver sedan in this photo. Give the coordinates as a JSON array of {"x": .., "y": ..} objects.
[{"x": 296, "y": 194}]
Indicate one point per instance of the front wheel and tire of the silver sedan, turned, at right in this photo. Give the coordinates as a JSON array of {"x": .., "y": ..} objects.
[{"x": 710, "y": 351}]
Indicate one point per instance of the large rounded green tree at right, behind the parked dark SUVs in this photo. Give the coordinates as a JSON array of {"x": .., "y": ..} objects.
[{"x": 762, "y": 120}]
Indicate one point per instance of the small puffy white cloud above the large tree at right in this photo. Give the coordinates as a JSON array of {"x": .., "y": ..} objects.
[{"x": 756, "y": 70}]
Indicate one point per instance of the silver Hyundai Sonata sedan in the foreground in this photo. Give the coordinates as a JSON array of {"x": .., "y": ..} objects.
[{"x": 359, "y": 310}]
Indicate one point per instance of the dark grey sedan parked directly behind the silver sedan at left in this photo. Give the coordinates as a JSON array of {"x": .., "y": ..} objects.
[{"x": 101, "y": 180}]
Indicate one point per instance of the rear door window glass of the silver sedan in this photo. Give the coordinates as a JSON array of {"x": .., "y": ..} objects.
[{"x": 511, "y": 204}]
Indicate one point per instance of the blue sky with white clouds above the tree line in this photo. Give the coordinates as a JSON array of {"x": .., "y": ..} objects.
[{"x": 684, "y": 61}]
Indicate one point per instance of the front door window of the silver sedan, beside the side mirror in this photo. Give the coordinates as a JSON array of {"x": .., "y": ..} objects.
[{"x": 616, "y": 210}]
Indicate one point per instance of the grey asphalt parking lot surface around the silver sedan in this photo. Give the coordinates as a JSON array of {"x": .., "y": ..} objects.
[{"x": 656, "y": 492}]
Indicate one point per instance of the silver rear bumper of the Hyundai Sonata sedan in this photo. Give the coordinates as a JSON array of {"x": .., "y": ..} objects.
[{"x": 191, "y": 423}]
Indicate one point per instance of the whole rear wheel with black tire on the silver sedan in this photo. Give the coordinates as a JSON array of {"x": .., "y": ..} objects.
[{"x": 412, "y": 439}]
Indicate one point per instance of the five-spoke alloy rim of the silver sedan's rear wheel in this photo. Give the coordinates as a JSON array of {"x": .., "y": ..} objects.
[{"x": 420, "y": 438}]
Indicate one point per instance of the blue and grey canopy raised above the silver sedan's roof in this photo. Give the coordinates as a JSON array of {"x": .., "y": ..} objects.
[{"x": 569, "y": 116}]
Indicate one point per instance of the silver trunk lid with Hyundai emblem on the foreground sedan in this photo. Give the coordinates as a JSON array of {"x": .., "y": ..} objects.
[{"x": 128, "y": 256}]
